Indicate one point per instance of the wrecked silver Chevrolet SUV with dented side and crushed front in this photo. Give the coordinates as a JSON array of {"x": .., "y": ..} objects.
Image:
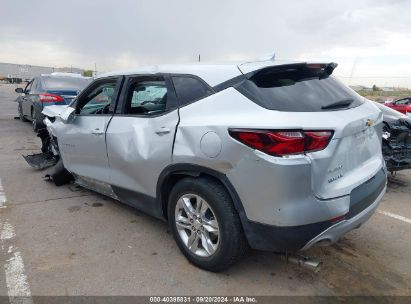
[{"x": 278, "y": 157}]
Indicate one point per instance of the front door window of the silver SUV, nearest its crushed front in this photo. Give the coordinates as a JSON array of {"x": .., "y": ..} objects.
[{"x": 98, "y": 100}]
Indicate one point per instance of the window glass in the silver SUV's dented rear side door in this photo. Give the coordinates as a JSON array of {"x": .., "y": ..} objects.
[{"x": 147, "y": 97}]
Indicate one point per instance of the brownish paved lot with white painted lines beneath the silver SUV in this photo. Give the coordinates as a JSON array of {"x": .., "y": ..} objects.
[{"x": 70, "y": 241}]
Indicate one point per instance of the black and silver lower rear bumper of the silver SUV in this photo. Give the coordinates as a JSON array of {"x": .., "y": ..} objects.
[{"x": 363, "y": 201}]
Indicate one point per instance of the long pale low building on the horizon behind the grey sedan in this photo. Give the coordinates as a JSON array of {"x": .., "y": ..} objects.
[{"x": 27, "y": 72}]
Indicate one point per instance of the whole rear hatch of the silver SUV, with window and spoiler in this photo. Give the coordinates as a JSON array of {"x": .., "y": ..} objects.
[{"x": 315, "y": 101}]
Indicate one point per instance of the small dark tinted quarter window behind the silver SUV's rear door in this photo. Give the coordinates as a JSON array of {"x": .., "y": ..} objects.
[{"x": 190, "y": 89}]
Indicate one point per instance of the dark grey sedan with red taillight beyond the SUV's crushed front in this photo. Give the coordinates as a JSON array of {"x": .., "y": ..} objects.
[{"x": 46, "y": 90}]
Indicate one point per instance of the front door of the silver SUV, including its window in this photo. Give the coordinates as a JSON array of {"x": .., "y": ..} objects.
[{"x": 82, "y": 142}]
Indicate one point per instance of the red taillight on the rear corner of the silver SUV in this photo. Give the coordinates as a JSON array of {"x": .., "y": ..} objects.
[{"x": 280, "y": 143}]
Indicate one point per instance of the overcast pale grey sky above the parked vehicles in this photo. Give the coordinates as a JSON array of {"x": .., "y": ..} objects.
[{"x": 369, "y": 39}]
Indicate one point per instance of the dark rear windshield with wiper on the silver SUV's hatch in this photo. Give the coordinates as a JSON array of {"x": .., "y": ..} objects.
[{"x": 298, "y": 89}]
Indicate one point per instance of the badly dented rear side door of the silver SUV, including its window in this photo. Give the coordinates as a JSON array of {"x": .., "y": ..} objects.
[{"x": 140, "y": 136}]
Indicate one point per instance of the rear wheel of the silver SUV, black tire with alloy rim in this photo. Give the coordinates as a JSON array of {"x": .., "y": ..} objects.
[{"x": 225, "y": 247}]
